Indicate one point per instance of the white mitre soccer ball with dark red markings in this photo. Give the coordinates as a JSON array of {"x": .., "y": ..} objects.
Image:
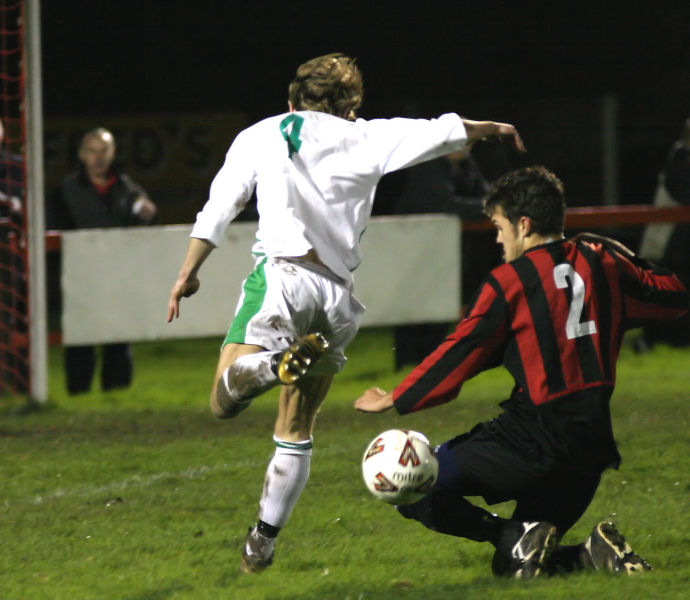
[{"x": 399, "y": 466}]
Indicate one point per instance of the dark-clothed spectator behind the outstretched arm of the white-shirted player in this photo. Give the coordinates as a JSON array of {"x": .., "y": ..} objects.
[{"x": 449, "y": 184}]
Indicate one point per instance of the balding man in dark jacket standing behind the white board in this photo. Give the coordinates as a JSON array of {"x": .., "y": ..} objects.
[{"x": 97, "y": 195}]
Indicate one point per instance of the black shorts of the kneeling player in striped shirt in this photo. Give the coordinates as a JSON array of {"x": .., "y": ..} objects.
[{"x": 545, "y": 487}]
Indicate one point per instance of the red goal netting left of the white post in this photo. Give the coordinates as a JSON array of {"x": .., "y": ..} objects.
[{"x": 14, "y": 318}]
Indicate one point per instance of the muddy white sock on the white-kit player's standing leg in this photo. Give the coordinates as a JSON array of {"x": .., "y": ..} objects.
[{"x": 286, "y": 476}]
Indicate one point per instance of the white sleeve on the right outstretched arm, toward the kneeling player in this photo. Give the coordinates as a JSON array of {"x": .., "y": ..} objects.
[{"x": 400, "y": 143}]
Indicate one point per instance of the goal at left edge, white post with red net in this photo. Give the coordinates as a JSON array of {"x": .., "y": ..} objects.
[{"x": 23, "y": 364}]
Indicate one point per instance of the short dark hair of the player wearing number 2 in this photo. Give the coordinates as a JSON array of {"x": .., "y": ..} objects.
[{"x": 533, "y": 192}]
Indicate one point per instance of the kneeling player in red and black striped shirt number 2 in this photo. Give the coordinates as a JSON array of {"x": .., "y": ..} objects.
[{"x": 554, "y": 315}]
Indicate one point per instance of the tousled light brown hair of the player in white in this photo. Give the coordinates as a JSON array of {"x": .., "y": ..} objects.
[{"x": 330, "y": 84}]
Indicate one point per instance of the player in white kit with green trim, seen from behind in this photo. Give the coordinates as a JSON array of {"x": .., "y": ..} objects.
[{"x": 315, "y": 171}]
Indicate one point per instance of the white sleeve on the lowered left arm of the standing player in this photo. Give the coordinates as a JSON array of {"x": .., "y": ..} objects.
[{"x": 231, "y": 189}]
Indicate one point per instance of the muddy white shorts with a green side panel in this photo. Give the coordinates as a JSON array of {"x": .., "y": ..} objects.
[{"x": 284, "y": 299}]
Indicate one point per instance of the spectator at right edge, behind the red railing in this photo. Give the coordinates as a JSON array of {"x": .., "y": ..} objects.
[{"x": 668, "y": 244}]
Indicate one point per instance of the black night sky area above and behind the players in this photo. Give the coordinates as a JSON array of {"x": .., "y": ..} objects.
[{"x": 543, "y": 66}]
